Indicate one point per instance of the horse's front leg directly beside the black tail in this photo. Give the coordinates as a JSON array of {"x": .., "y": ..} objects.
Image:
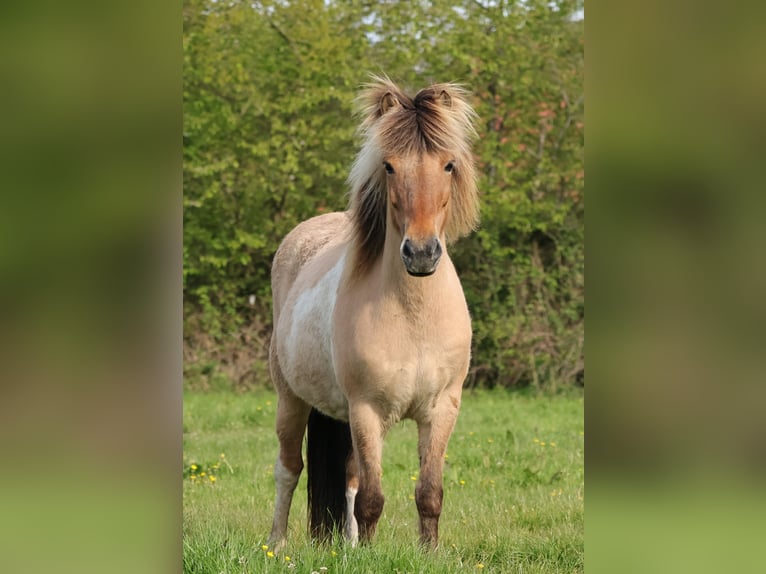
[{"x": 367, "y": 435}]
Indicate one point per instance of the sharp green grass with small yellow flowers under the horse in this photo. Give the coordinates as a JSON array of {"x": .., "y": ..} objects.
[{"x": 513, "y": 491}]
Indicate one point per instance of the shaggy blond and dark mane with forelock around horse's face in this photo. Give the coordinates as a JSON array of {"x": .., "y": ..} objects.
[{"x": 437, "y": 119}]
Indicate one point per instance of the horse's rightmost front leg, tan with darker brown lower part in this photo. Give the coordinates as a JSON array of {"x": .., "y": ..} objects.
[{"x": 433, "y": 436}]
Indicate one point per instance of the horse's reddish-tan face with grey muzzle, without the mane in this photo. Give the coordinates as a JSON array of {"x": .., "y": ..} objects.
[{"x": 419, "y": 190}]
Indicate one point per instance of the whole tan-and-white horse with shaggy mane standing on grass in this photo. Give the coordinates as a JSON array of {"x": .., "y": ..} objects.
[{"x": 371, "y": 325}]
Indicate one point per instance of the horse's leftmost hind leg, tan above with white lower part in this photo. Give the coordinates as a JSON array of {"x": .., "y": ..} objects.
[{"x": 292, "y": 416}]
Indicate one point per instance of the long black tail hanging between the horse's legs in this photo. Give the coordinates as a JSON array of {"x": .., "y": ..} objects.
[{"x": 328, "y": 447}]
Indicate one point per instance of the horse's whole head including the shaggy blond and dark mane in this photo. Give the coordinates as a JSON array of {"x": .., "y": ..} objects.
[{"x": 414, "y": 177}]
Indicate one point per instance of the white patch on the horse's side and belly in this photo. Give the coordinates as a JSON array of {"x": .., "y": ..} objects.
[{"x": 305, "y": 347}]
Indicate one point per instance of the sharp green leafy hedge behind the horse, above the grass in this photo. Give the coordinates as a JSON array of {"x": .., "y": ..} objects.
[{"x": 269, "y": 138}]
